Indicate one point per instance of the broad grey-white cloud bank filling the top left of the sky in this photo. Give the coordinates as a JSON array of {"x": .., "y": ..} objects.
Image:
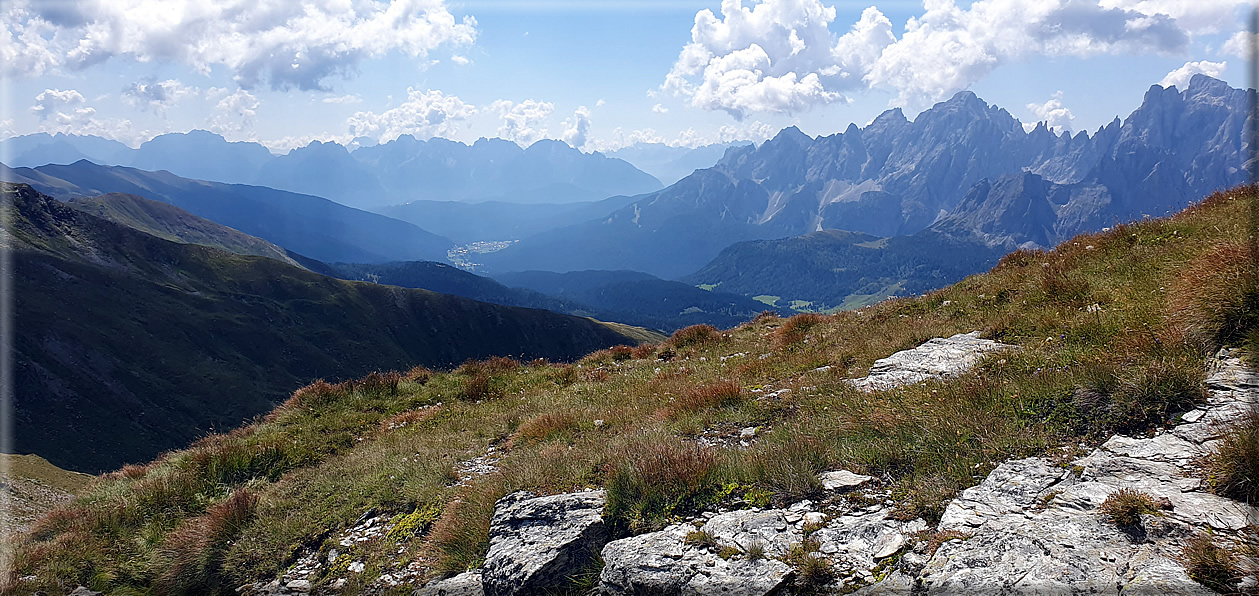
[{"x": 264, "y": 42}]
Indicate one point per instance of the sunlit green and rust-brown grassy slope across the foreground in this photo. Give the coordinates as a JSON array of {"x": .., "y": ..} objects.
[{"x": 1101, "y": 352}]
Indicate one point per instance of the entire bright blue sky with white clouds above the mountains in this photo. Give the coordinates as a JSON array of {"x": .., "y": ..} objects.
[{"x": 597, "y": 74}]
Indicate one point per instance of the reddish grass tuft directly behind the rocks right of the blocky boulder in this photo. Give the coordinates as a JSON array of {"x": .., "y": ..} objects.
[{"x": 648, "y": 483}]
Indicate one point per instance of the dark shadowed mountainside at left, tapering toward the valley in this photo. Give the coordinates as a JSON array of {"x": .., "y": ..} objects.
[{"x": 133, "y": 345}]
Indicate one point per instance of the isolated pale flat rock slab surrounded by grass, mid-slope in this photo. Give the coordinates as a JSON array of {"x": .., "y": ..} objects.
[{"x": 935, "y": 360}]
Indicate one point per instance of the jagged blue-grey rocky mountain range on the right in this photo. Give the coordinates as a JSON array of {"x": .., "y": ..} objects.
[{"x": 964, "y": 166}]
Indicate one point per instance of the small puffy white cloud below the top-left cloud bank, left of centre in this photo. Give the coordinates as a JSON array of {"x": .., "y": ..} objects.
[{"x": 425, "y": 114}]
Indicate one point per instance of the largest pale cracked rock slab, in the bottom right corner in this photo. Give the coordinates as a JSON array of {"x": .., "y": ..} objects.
[{"x": 1034, "y": 527}]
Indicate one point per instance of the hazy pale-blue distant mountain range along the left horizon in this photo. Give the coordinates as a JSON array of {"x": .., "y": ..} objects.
[{"x": 392, "y": 173}]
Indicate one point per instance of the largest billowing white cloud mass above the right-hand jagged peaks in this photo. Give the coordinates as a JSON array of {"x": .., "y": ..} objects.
[{"x": 784, "y": 56}]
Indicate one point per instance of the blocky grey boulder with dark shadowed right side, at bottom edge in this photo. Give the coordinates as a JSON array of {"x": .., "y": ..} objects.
[{"x": 538, "y": 542}]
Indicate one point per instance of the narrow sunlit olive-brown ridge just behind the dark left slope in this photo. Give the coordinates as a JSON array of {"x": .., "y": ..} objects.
[{"x": 169, "y": 222}]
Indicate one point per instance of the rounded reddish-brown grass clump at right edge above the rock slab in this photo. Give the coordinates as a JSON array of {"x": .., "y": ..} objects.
[{"x": 1217, "y": 297}]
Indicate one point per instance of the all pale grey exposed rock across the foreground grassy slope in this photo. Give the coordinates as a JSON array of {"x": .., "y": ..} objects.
[{"x": 1030, "y": 527}]
